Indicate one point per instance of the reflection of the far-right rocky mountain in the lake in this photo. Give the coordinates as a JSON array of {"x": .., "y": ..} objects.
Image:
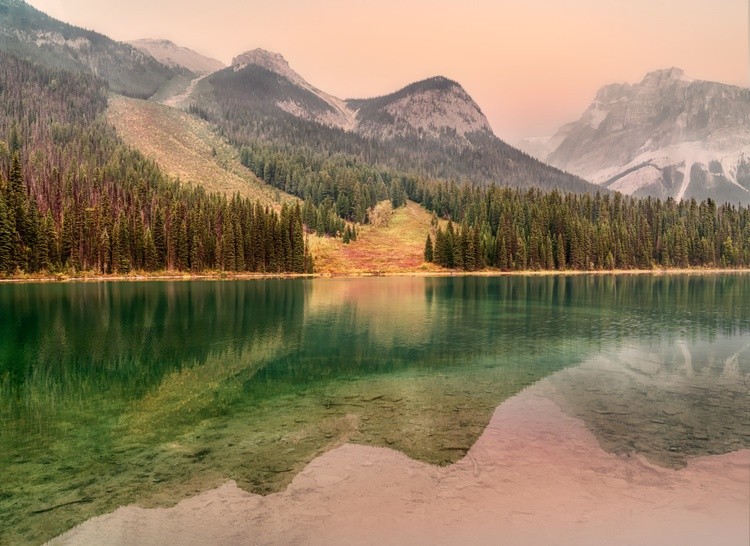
[{"x": 668, "y": 402}]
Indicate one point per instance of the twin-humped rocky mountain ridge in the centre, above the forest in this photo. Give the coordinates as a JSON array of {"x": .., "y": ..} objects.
[{"x": 432, "y": 127}]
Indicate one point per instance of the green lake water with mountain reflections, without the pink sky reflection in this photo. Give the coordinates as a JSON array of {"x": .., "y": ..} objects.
[{"x": 115, "y": 393}]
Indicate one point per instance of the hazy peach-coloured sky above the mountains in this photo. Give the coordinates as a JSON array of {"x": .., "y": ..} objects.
[{"x": 532, "y": 65}]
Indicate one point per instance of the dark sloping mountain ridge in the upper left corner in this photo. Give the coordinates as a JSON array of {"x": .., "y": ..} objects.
[{"x": 34, "y": 36}]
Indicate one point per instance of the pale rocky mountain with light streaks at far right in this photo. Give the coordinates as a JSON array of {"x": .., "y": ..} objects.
[{"x": 666, "y": 136}]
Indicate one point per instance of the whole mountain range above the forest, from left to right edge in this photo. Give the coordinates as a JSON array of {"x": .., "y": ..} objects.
[{"x": 667, "y": 136}]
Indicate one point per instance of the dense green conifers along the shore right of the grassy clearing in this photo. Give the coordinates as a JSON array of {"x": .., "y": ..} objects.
[{"x": 517, "y": 230}]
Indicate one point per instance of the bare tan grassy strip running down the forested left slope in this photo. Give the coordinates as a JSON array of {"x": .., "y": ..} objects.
[{"x": 187, "y": 148}]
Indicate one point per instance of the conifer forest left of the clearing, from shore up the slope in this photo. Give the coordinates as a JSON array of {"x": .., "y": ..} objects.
[{"x": 73, "y": 197}]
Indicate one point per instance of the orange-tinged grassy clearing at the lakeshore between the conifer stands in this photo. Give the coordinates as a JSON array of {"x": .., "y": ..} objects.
[{"x": 397, "y": 248}]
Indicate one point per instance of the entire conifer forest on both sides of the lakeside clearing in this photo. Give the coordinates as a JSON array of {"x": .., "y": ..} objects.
[{"x": 72, "y": 196}]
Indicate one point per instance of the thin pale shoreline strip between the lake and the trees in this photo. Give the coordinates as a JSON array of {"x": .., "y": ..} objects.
[{"x": 223, "y": 276}]
